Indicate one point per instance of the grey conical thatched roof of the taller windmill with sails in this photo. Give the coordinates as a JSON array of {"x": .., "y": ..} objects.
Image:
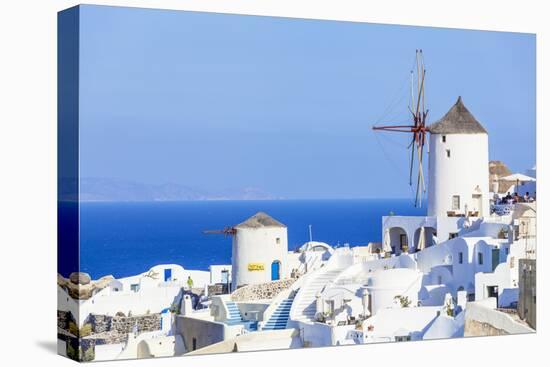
[{"x": 457, "y": 121}]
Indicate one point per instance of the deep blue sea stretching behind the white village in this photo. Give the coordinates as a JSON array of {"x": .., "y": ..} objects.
[{"x": 125, "y": 239}]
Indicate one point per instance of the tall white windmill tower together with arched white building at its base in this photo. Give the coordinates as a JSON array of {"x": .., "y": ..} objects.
[{"x": 458, "y": 183}]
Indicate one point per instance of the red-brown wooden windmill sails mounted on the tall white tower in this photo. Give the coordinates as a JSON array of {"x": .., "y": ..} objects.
[{"x": 417, "y": 126}]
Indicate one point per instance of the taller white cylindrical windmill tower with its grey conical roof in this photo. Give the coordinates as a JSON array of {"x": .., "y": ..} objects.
[{"x": 458, "y": 165}]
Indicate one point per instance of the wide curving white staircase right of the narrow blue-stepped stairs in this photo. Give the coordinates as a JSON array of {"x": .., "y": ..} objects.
[{"x": 304, "y": 305}]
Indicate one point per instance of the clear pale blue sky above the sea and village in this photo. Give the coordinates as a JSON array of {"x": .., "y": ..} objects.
[{"x": 285, "y": 105}]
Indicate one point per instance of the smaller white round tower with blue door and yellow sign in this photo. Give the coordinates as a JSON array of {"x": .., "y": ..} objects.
[{"x": 260, "y": 248}]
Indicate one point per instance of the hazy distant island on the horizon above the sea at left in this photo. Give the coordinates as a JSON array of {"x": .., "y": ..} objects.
[{"x": 112, "y": 189}]
